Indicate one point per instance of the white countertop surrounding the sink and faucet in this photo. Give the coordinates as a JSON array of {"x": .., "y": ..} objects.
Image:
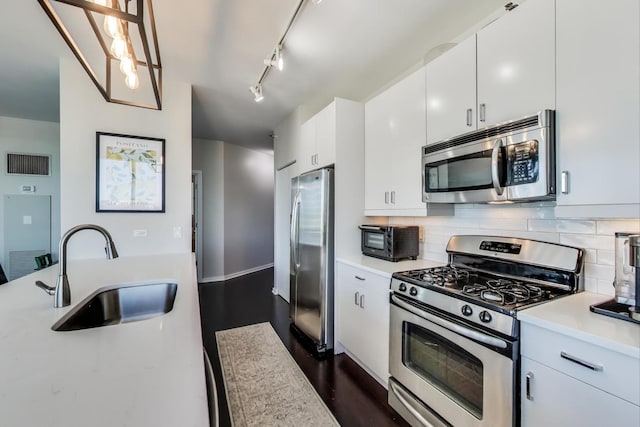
[{"x": 145, "y": 373}]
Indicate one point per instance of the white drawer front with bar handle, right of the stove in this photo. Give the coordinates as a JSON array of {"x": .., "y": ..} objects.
[{"x": 598, "y": 366}]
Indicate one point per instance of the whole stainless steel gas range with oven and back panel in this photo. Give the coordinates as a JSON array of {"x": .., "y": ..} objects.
[{"x": 454, "y": 333}]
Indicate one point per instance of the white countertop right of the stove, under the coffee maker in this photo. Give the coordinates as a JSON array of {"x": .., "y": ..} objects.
[{"x": 571, "y": 316}]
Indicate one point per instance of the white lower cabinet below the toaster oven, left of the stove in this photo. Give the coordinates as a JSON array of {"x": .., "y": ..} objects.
[{"x": 362, "y": 305}]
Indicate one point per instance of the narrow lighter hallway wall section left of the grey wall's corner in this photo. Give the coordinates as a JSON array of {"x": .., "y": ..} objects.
[{"x": 208, "y": 157}]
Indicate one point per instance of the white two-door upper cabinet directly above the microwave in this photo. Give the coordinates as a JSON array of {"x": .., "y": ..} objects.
[{"x": 504, "y": 72}]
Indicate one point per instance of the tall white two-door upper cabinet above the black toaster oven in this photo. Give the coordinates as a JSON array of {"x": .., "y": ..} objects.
[{"x": 395, "y": 131}]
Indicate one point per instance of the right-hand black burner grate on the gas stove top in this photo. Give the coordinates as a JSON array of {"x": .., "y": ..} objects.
[{"x": 503, "y": 291}]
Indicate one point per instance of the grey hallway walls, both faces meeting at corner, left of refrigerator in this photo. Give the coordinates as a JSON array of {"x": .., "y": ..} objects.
[{"x": 237, "y": 224}]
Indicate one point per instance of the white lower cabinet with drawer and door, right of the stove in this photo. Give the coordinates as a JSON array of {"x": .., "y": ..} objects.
[{"x": 569, "y": 382}]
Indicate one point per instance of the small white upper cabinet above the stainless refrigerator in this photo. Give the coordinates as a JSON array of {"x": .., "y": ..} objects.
[{"x": 318, "y": 140}]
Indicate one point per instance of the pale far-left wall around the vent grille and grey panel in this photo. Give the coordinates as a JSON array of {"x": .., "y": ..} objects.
[{"x": 31, "y": 137}]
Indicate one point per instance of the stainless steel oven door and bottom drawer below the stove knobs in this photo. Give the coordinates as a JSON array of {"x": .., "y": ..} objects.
[{"x": 457, "y": 374}]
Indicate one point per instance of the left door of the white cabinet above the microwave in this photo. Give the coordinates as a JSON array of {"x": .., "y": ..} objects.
[{"x": 451, "y": 92}]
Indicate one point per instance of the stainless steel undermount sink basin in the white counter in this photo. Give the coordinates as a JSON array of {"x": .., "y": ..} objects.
[{"x": 112, "y": 305}]
